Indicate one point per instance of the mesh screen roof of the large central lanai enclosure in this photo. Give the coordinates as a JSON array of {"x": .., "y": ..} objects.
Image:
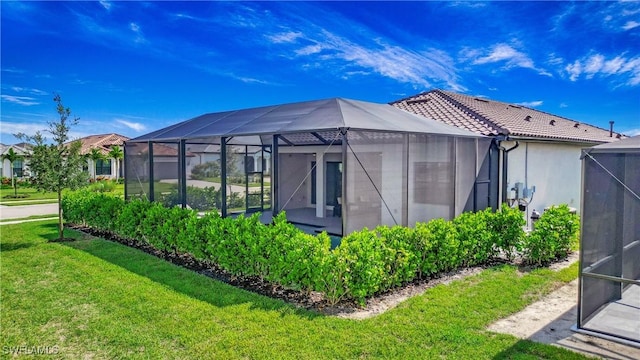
[{"x": 311, "y": 117}]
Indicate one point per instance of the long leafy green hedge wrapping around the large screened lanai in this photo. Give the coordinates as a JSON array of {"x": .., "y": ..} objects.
[{"x": 366, "y": 262}]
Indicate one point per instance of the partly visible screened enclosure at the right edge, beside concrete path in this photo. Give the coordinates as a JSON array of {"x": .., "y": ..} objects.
[{"x": 609, "y": 292}]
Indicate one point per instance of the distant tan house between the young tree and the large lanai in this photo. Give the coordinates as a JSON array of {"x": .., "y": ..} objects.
[{"x": 105, "y": 142}]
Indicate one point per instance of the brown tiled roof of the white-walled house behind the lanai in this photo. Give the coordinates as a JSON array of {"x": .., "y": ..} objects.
[{"x": 489, "y": 117}]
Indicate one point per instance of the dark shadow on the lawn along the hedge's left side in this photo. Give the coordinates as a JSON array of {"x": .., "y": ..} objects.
[{"x": 182, "y": 280}]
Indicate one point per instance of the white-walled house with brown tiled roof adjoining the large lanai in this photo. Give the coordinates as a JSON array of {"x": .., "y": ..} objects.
[{"x": 539, "y": 152}]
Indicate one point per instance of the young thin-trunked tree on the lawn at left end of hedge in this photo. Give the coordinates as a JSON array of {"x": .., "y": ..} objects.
[{"x": 57, "y": 166}]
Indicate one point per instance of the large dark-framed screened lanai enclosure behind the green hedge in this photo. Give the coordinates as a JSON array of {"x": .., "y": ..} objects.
[{"x": 337, "y": 165}]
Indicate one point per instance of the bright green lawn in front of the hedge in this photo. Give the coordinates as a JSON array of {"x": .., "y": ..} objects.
[{"x": 94, "y": 298}]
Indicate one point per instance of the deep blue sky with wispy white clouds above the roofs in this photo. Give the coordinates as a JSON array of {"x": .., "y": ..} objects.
[{"x": 133, "y": 67}]
